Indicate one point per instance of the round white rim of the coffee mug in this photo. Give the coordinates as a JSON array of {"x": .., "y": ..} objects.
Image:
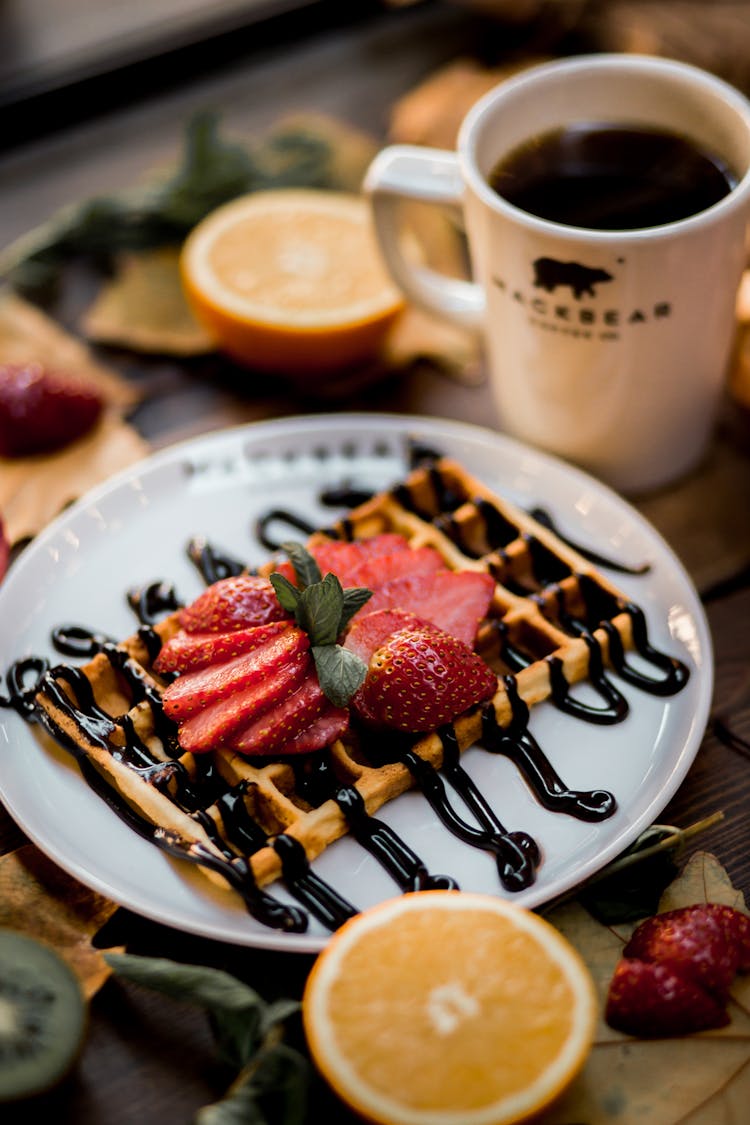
[{"x": 477, "y": 115}]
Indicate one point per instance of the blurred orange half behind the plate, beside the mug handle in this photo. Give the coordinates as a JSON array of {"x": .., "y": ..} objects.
[{"x": 291, "y": 281}]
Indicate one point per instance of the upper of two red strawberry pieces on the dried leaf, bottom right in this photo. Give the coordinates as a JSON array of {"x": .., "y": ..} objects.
[{"x": 697, "y": 942}]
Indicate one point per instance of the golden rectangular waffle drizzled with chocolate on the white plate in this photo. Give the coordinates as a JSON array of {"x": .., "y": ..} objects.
[{"x": 555, "y": 622}]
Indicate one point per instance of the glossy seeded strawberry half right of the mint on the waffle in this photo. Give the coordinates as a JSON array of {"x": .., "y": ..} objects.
[{"x": 420, "y": 679}]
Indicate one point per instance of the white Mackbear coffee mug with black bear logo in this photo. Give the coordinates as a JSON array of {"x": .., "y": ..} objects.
[{"x": 608, "y": 348}]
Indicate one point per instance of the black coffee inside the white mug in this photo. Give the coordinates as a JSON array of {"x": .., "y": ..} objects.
[{"x": 611, "y": 178}]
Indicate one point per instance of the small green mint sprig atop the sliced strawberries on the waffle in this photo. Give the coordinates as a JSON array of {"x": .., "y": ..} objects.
[{"x": 324, "y": 609}]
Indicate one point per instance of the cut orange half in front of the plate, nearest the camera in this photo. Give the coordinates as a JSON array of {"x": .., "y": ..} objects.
[{"x": 449, "y": 1009}]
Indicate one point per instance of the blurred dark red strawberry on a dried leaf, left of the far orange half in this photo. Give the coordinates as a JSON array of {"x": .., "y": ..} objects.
[{"x": 42, "y": 411}]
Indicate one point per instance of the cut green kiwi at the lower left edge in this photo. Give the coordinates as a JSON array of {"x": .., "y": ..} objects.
[{"x": 43, "y": 1016}]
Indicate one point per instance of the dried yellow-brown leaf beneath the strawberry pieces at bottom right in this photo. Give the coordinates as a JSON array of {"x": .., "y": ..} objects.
[{"x": 628, "y": 1079}]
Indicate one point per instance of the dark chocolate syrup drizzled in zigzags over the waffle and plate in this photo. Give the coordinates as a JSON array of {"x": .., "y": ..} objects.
[{"x": 204, "y": 795}]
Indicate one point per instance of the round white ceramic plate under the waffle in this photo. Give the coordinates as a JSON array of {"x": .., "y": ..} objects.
[{"x": 135, "y": 529}]
